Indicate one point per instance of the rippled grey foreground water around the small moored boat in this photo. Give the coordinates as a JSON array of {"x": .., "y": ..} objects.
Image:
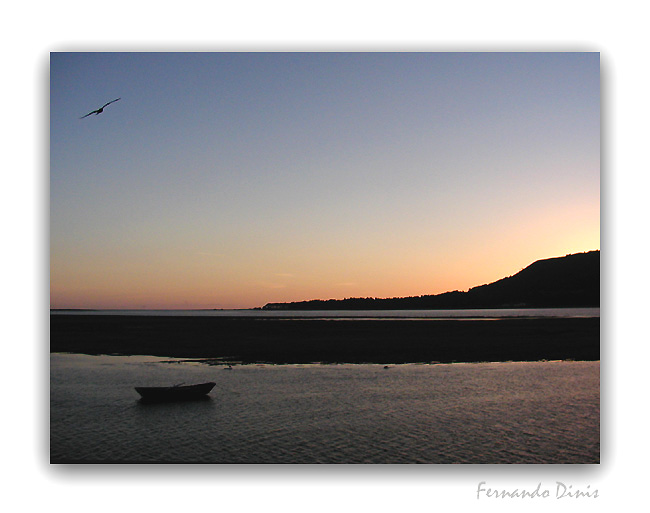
[{"x": 539, "y": 412}]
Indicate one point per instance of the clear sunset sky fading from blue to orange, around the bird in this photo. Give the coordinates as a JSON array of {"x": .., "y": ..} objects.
[{"x": 231, "y": 180}]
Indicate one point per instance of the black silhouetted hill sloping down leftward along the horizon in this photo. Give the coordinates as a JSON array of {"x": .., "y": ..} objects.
[{"x": 569, "y": 281}]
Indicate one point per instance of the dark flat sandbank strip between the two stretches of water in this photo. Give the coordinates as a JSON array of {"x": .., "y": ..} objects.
[{"x": 283, "y": 341}]
